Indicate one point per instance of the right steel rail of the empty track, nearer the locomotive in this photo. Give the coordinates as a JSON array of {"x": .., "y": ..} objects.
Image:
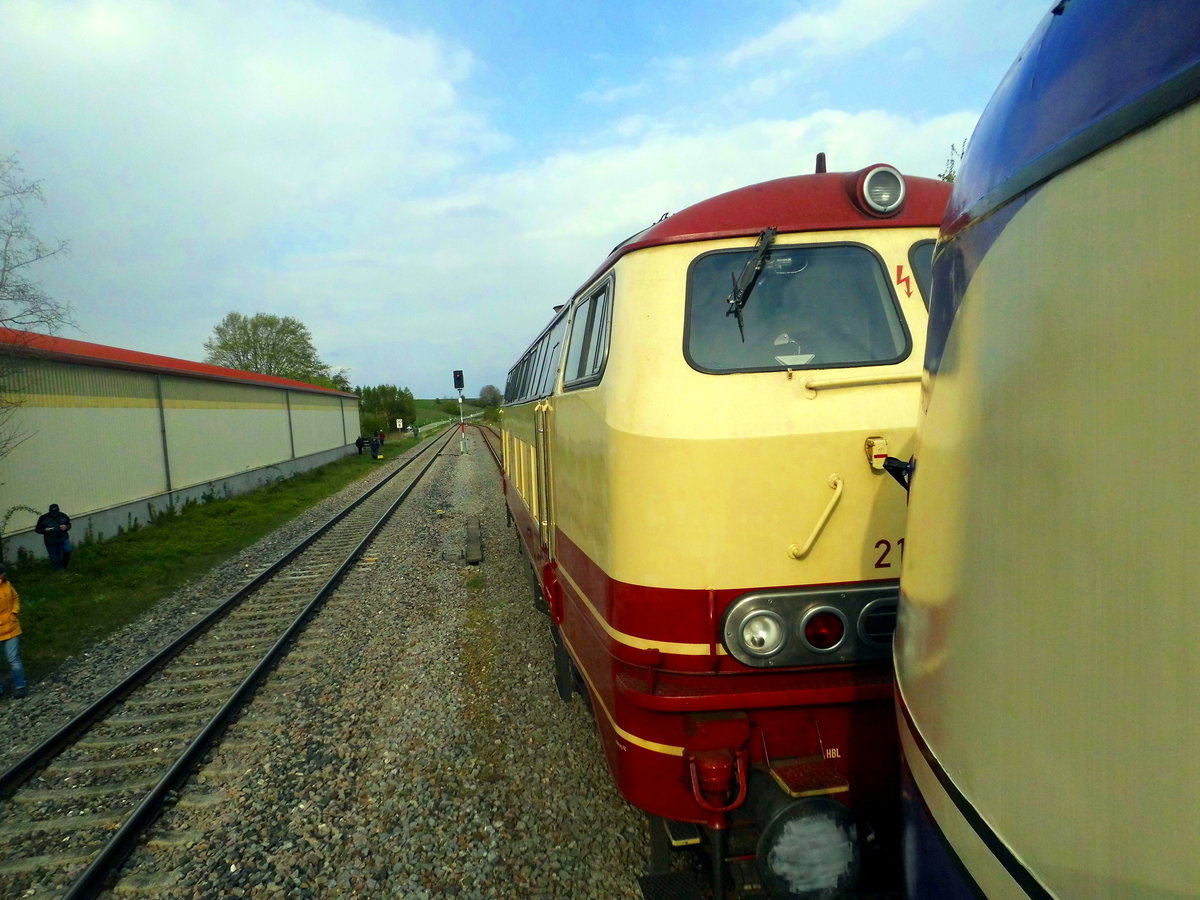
[{"x": 113, "y": 855}]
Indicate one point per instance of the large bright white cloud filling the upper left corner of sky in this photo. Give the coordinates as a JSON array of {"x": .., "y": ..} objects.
[{"x": 273, "y": 112}]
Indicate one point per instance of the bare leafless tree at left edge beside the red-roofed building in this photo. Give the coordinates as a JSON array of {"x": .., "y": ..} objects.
[{"x": 25, "y": 305}]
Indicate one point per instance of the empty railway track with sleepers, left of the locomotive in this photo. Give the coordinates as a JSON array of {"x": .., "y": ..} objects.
[{"x": 75, "y": 807}]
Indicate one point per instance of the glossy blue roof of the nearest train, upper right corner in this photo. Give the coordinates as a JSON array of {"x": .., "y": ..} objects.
[{"x": 1094, "y": 73}]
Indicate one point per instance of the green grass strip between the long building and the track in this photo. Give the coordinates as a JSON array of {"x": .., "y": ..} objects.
[{"x": 112, "y": 583}]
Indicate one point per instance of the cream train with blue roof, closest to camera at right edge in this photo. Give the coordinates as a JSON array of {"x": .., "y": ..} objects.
[{"x": 1047, "y": 650}]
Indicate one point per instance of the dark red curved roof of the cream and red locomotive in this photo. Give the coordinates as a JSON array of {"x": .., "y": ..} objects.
[{"x": 800, "y": 203}]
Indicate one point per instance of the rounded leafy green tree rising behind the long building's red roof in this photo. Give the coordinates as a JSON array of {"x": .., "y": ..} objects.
[{"x": 266, "y": 344}]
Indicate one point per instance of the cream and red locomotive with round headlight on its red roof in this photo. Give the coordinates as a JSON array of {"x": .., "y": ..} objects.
[{"x": 693, "y": 453}]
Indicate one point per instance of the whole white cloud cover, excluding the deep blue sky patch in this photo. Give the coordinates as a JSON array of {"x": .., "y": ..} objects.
[{"x": 285, "y": 158}]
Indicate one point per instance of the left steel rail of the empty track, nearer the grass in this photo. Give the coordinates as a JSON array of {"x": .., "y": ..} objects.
[{"x": 25, "y": 769}]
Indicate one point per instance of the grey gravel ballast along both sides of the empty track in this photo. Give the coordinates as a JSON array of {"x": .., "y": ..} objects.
[{"x": 412, "y": 746}]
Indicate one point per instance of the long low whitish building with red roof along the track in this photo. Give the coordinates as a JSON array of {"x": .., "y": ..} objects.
[{"x": 113, "y": 436}]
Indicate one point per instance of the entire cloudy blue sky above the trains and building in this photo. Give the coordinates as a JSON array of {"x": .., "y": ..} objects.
[{"x": 419, "y": 183}]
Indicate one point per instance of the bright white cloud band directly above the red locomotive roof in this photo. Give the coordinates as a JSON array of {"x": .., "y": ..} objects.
[{"x": 532, "y": 236}]
